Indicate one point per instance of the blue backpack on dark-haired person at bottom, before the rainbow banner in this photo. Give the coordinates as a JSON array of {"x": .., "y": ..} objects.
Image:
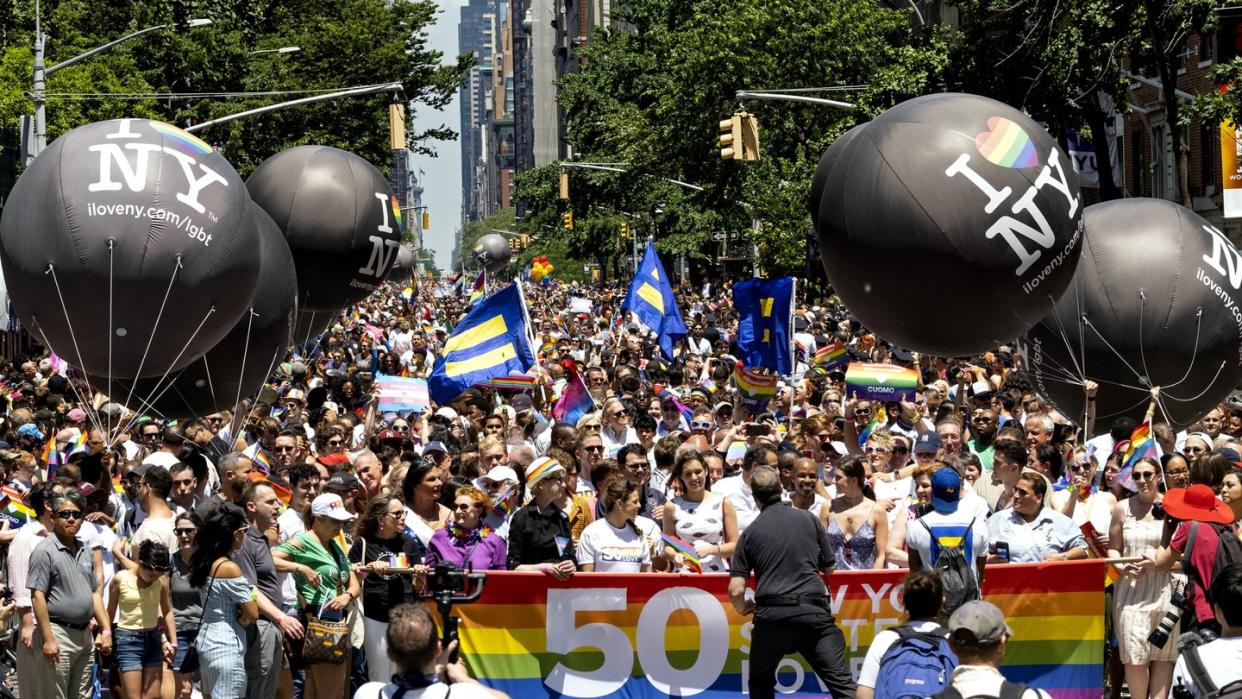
[{"x": 917, "y": 665}]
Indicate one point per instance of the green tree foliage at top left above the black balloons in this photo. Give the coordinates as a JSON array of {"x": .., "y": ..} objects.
[{"x": 343, "y": 44}]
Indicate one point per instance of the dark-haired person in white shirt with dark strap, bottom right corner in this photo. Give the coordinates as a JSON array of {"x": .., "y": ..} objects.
[{"x": 1214, "y": 666}]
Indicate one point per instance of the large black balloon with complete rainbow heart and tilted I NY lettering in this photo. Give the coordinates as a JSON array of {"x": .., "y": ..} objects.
[{"x": 950, "y": 224}]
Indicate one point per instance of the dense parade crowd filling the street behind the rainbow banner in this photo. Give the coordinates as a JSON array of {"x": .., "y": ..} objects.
[{"x": 283, "y": 549}]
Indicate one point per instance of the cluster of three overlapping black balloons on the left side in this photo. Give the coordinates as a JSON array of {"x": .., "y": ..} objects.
[{"x": 135, "y": 250}]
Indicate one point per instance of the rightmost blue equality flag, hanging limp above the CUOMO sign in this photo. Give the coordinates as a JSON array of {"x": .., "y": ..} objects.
[{"x": 766, "y": 332}]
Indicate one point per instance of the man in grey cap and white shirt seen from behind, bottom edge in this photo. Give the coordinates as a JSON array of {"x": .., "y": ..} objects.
[{"x": 978, "y": 635}]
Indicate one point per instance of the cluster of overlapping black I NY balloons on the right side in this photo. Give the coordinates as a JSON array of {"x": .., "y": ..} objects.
[{"x": 972, "y": 201}]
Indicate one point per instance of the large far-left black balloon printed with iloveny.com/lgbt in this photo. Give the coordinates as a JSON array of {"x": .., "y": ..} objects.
[{"x": 127, "y": 248}]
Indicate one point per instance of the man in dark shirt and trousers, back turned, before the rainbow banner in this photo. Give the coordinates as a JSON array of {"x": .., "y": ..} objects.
[{"x": 787, "y": 549}]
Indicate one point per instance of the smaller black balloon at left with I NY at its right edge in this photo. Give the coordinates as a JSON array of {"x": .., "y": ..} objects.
[{"x": 340, "y": 218}]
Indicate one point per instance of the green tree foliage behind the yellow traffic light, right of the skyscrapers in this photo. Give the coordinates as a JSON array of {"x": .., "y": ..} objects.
[{"x": 653, "y": 99}]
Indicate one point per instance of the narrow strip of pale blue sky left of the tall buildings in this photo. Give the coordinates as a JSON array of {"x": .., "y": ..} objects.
[{"x": 442, "y": 178}]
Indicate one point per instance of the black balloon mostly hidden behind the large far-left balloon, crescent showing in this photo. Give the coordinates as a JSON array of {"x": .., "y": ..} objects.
[{"x": 243, "y": 361}]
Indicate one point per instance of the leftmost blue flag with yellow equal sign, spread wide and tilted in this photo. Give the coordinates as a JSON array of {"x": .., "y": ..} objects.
[{"x": 492, "y": 341}]
